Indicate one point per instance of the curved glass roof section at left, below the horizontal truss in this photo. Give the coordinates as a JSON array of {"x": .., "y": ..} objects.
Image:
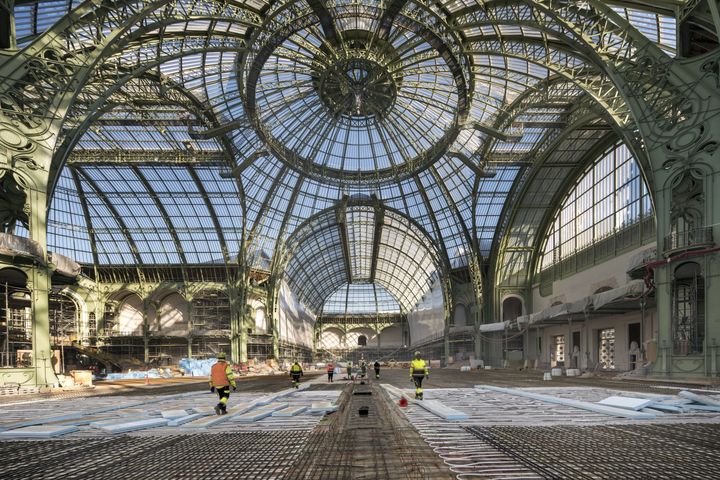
[{"x": 145, "y": 214}]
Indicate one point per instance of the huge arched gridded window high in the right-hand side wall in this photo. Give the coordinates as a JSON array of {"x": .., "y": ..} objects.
[{"x": 609, "y": 196}]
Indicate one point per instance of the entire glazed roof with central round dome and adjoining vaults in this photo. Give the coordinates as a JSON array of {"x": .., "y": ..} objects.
[{"x": 249, "y": 127}]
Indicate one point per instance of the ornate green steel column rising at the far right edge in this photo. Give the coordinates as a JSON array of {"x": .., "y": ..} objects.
[{"x": 691, "y": 147}]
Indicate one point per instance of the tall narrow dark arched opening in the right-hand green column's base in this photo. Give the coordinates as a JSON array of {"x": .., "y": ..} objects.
[{"x": 688, "y": 320}]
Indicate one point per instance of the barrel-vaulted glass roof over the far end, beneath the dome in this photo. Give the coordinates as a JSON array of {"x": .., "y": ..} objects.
[{"x": 360, "y": 244}]
